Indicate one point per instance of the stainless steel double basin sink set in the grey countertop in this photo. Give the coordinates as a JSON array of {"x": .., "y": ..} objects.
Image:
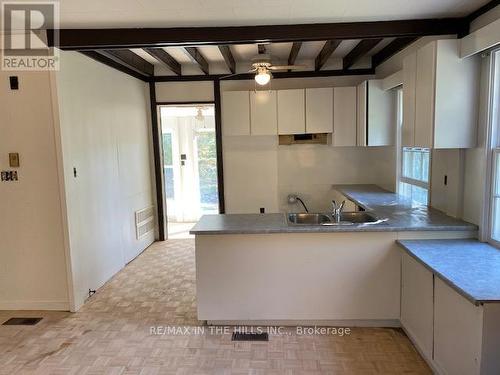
[{"x": 346, "y": 218}]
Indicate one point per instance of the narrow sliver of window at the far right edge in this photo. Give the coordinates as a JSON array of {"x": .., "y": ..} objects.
[{"x": 494, "y": 136}]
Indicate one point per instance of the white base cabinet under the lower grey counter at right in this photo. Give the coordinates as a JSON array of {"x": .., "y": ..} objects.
[{"x": 455, "y": 336}]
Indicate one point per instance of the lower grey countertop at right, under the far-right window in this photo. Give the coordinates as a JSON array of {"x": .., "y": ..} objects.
[{"x": 470, "y": 267}]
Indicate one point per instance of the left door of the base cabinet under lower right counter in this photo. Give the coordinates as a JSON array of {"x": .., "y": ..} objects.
[{"x": 417, "y": 303}]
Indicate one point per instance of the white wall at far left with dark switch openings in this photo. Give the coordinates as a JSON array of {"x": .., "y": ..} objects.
[{"x": 32, "y": 254}]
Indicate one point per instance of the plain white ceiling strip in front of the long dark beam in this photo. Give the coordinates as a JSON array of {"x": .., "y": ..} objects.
[{"x": 167, "y": 13}]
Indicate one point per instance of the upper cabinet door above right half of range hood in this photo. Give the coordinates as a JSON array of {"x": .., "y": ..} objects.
[{"x": 319, "y": 110}]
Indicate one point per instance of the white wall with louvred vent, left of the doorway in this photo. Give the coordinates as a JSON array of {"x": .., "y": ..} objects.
[{"x": 105, "y": 129}]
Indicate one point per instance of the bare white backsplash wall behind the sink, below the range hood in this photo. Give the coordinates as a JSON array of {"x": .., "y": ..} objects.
[{"x": 311, "y": 170}]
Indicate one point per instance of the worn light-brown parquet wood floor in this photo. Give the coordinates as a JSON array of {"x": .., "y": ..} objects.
[{"x": 111, "y": 334}]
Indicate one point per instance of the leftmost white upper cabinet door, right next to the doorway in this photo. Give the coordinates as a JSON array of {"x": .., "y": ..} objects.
[{"x": 236, "y": 113}]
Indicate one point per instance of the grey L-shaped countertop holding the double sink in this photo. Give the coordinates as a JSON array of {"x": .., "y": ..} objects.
[{"x": 400, "y": 215}]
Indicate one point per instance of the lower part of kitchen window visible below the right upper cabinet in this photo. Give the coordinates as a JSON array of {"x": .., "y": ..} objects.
[{"x": 414, "y": 180}]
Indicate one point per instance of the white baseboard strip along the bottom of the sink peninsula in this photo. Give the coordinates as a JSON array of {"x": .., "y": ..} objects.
[{"x": 322, "y": 323}]
